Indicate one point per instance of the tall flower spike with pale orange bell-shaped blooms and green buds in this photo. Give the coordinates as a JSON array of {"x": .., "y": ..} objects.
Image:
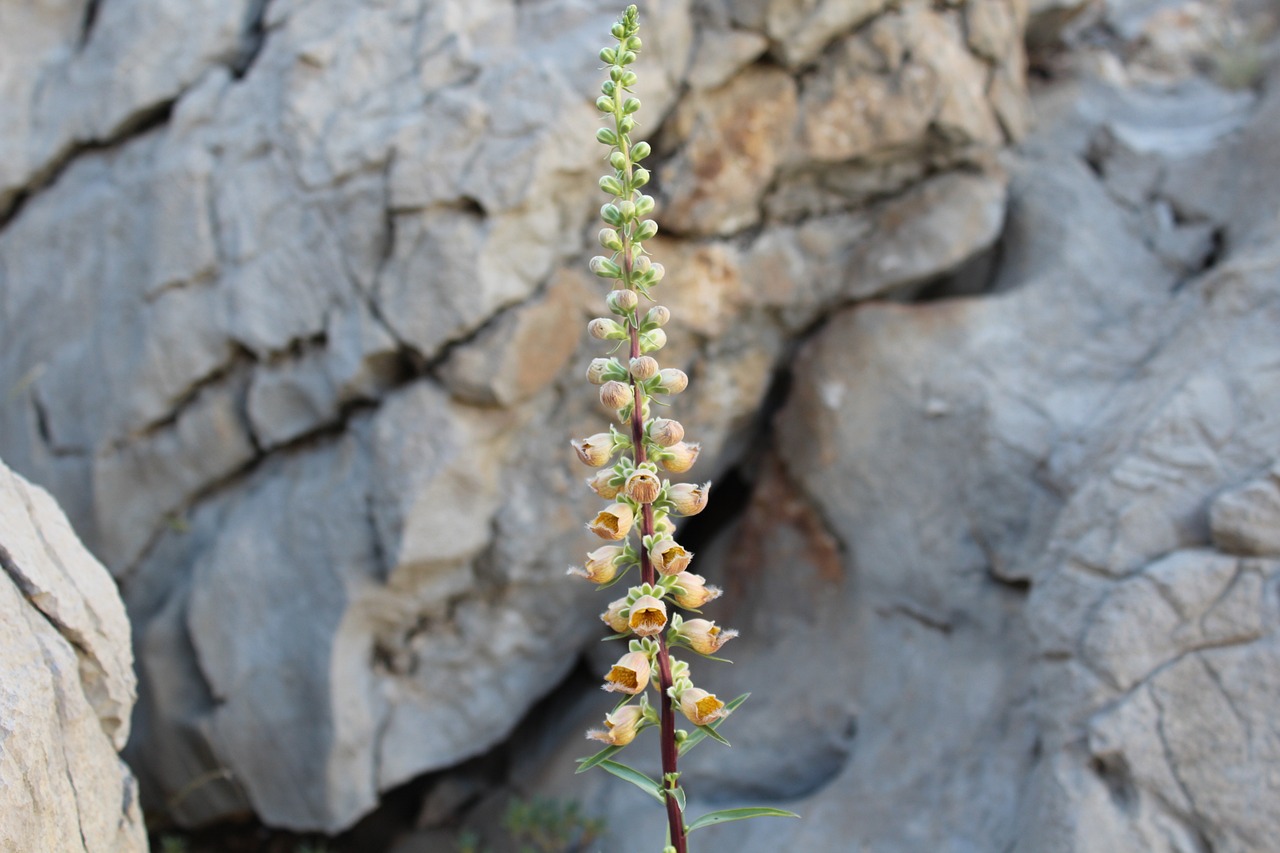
[{"x": 637, "y": 524}]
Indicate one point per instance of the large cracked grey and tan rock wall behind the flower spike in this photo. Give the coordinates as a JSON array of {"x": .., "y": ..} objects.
[{"x": 980, "y": 302}]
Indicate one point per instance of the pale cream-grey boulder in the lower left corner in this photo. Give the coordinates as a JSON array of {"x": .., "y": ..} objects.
[{"x": 67, "y": 687}]
